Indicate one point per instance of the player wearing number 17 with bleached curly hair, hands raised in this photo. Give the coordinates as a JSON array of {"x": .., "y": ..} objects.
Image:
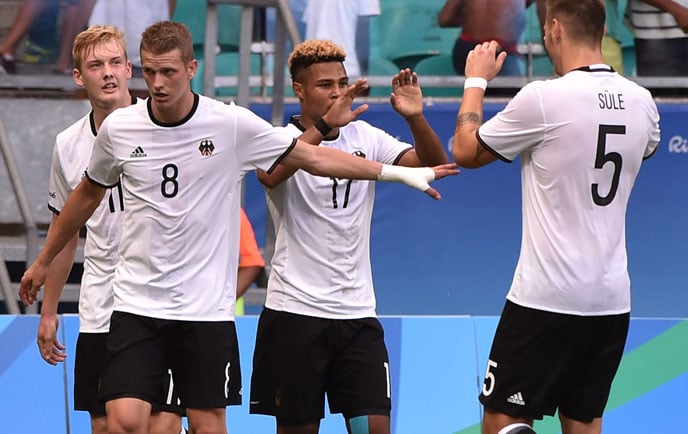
[{"x": 319, "y": 316}]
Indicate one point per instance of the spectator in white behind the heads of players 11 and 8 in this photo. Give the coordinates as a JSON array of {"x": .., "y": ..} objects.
[{"x": 132, "y": 16}]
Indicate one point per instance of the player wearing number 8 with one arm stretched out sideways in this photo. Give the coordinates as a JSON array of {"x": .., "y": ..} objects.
[{"x": 181, "y": 158}]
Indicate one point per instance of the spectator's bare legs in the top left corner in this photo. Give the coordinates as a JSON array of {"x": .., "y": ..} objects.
[{"x": 74, "y": 17}]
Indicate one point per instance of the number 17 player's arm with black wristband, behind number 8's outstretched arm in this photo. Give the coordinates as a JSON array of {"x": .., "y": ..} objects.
[{"x": 337, "y": 116}]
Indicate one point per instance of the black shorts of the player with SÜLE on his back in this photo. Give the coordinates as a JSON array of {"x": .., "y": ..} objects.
[{"x": 543, "y": 361}]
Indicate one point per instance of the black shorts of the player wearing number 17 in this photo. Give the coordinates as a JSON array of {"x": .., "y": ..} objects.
[{"x": 299, "y": 358}]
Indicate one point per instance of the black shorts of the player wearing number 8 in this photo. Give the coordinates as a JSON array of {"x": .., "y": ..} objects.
[{"x": 202, "y": 355}]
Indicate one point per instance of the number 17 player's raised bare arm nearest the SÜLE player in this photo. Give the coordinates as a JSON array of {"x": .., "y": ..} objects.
[{"x": 407, "y": 100}]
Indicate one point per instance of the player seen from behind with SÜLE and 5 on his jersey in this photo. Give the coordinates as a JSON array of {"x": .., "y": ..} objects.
[{"x": 581, "y": 139}]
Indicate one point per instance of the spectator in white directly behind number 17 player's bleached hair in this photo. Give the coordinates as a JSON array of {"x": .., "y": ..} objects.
[{"x": 335, "y": 19}]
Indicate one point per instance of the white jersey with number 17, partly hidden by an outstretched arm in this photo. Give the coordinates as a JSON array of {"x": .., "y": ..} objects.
[{"x": 321, "y": 264}]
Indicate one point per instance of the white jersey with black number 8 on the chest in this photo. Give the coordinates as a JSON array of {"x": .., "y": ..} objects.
[{"x": 181, "y": 182}]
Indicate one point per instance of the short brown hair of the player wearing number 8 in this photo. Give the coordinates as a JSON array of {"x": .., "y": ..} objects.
[{"x": 165, "y": 36}]
